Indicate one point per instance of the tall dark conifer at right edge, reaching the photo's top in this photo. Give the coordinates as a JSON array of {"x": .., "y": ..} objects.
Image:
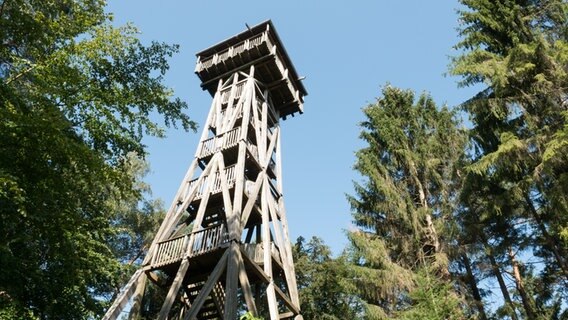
[{"x": 517, "y": 50}]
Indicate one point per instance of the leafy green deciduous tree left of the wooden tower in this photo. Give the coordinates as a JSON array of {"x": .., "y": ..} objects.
[{"x": 76, "y": 98}]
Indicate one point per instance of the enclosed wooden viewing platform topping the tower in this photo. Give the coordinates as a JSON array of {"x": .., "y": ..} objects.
[{"x": 260, "y": 46}]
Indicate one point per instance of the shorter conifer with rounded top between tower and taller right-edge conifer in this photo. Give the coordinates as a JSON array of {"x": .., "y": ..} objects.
[{"x": 404, "y": 206}]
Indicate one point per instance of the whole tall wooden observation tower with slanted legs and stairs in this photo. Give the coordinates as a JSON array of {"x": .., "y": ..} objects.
[{"x": 223, "y": 248}]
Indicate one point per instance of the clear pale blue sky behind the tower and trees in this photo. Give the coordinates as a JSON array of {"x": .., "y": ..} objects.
[{"x": 346, "y": 49}]
